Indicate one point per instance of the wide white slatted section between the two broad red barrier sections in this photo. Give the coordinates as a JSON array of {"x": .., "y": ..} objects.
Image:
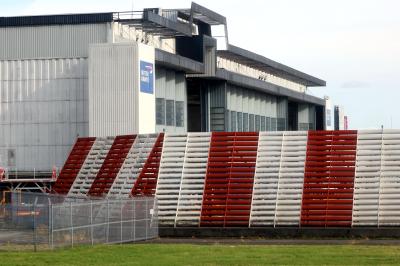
[{"x": 278, "y": 181}]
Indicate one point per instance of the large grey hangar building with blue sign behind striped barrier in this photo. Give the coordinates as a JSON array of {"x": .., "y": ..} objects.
[{"x": 157, "y": 70}]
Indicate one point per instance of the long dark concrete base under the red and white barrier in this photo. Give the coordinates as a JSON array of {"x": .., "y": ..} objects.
[{"x": 281, "y": 232}]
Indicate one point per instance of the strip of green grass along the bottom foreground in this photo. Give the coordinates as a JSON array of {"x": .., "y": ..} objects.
[{"x": 186, "y": 254}]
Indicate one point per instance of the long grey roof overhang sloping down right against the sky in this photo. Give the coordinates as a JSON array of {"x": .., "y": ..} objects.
[{"x": 262, "y": 63}]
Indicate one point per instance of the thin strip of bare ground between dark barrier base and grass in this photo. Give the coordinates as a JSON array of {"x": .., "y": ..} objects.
[{"x": 257, "y": 241}]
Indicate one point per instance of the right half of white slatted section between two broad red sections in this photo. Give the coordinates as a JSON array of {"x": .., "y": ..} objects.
[{"x": 291, "y": 176}]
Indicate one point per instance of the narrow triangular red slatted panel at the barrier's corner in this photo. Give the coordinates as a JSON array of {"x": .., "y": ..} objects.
[{"x": 146, "y": 182}]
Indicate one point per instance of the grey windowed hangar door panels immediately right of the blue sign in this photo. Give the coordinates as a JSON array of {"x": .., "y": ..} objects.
[{"x": 171, "y": 103}]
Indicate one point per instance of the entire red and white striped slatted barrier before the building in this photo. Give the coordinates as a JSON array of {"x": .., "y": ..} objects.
[{"x": 291, "y": 178}]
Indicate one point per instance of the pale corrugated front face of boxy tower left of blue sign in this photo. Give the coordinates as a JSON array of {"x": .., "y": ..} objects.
[{"x": 113, "y": 89}]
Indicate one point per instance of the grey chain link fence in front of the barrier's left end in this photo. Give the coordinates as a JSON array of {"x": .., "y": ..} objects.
[{"x": 34, "y": 220}]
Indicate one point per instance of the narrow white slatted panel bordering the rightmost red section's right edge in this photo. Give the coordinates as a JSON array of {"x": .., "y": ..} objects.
[{"x": 366, "y": 183}]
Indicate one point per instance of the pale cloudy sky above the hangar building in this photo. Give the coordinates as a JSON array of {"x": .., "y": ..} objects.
[{"x": 352, "y": 44}]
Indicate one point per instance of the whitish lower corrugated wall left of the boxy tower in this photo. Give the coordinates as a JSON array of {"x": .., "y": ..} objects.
[{"x": 43, "y": 108}]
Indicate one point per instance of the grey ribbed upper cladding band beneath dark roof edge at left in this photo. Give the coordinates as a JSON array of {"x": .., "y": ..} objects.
[{"x": 55, "y": 41}]
